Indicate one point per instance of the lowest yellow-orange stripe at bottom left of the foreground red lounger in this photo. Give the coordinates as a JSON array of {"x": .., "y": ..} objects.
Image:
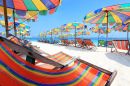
[{"x": 19, "y": 80}]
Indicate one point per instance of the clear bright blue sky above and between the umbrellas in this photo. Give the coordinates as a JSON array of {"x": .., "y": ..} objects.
[{"x": 70, "y": 11}]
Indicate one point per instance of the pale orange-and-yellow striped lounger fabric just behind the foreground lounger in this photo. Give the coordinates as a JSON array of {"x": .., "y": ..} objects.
[{"x": 59, "y": 57}]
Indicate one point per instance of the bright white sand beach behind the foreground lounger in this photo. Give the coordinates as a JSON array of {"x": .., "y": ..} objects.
[{"x": 99, "y": 57}]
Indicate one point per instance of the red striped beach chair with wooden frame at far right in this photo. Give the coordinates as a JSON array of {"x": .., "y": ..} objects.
[{"x": 121, "y": 45}]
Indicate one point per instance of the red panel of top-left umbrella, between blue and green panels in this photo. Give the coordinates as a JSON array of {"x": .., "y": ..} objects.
[{"x": 19, "y": 5}]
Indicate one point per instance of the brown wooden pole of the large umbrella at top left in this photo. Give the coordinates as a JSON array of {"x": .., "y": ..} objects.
[{"x": 6, "y": 20}]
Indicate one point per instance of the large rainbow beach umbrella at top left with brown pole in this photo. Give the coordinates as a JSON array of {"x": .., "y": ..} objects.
[{"x": 25, "y": 5}]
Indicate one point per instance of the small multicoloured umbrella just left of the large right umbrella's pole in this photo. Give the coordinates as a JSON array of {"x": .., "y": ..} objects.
[{"x": 100, "y": 30}]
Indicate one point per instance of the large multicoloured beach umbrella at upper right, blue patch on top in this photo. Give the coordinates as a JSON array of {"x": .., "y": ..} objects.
[{"x": 109, "y": 15}]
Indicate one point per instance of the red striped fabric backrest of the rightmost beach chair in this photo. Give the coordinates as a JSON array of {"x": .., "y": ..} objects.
[{"x": 121, "y": 44}]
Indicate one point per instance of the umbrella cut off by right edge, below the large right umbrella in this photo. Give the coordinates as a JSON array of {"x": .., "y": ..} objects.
[{"x": 123, "y": 27}]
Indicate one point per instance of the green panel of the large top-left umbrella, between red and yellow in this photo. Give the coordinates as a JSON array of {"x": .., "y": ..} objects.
[{"x": 30, "y": 5}]
